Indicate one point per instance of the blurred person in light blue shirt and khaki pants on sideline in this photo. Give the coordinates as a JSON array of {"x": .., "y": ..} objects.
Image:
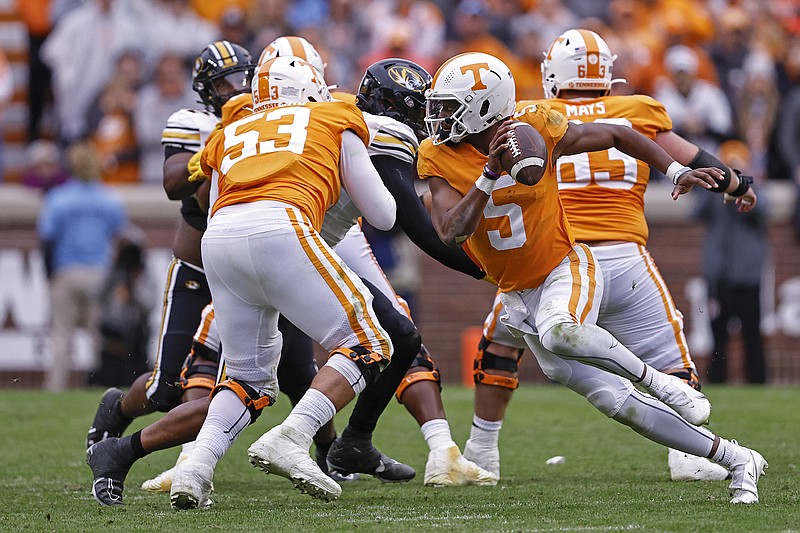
[{"x": 78, "y": 225}]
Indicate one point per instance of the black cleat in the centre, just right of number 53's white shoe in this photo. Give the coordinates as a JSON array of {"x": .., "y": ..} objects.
[{"x": 349, "y": 458}]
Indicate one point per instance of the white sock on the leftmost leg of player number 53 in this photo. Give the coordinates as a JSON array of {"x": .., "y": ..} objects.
[{"x": 227, "y": 417}]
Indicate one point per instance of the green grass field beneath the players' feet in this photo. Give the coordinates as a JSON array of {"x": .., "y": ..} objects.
[{"x": 612, "y": 480}]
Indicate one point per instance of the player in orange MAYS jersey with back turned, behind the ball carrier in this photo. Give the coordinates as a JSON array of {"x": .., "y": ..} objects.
[{"x": 603, "y": 197}]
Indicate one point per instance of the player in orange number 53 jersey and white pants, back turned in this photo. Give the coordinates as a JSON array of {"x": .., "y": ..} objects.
[{"x": 274, "y": 174}]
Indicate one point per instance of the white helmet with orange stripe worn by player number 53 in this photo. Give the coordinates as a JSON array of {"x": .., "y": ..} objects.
[{"x": 286, "y": 81}]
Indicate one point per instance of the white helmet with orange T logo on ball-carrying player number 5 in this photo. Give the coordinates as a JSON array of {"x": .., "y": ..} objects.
[{"x": 469, "y": 93}]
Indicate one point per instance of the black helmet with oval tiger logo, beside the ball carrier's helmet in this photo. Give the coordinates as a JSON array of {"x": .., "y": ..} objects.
[{"x": 396, "y": 88}]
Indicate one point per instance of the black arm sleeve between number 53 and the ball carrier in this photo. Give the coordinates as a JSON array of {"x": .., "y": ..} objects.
[{"x": 414, "y": 219}]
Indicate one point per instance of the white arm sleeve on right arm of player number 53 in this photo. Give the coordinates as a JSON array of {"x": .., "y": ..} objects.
[{"x": 364, "y": 185}]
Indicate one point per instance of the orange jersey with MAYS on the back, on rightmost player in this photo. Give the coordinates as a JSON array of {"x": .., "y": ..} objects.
[{"x": 603, "y": 192}]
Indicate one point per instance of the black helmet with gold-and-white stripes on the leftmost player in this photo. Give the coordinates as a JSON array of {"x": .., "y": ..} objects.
[{"x": 221, "y": 71}]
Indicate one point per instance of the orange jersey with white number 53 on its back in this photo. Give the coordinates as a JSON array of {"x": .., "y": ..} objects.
[{"x": 287, "y": 153}]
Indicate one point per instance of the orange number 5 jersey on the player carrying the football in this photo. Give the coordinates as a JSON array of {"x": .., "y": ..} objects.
[{"x": 523, "y": 233}]
